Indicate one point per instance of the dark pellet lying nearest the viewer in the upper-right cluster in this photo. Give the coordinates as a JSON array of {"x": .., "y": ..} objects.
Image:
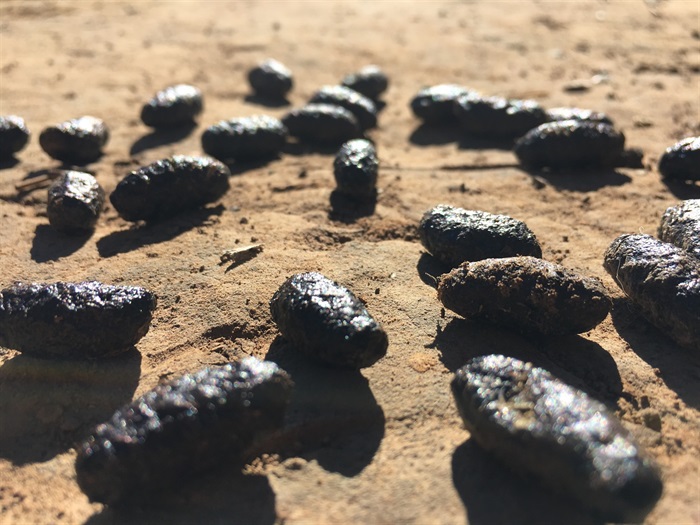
[{"x": 570, "y": 144}]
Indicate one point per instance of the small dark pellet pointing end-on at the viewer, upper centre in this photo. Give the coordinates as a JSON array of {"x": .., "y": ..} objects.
[{"x": 355, "y": 169}]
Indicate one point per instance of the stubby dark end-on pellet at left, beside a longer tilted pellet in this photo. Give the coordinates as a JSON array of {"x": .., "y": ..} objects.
[{"x": 75, "y": 201}]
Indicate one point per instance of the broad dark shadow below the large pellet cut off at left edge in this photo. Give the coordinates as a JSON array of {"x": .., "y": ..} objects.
[{"x": 48, "y": 405}]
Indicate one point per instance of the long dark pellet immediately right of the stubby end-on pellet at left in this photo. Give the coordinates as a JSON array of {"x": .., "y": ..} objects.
[{"x": 170, "y": 186}]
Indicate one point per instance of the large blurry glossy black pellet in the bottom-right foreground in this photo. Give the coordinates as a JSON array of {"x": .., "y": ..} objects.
[{"x": 539, "y": 425}]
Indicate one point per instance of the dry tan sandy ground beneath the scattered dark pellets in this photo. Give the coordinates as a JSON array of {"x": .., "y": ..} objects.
[{"x": 385, "y": 445}]
